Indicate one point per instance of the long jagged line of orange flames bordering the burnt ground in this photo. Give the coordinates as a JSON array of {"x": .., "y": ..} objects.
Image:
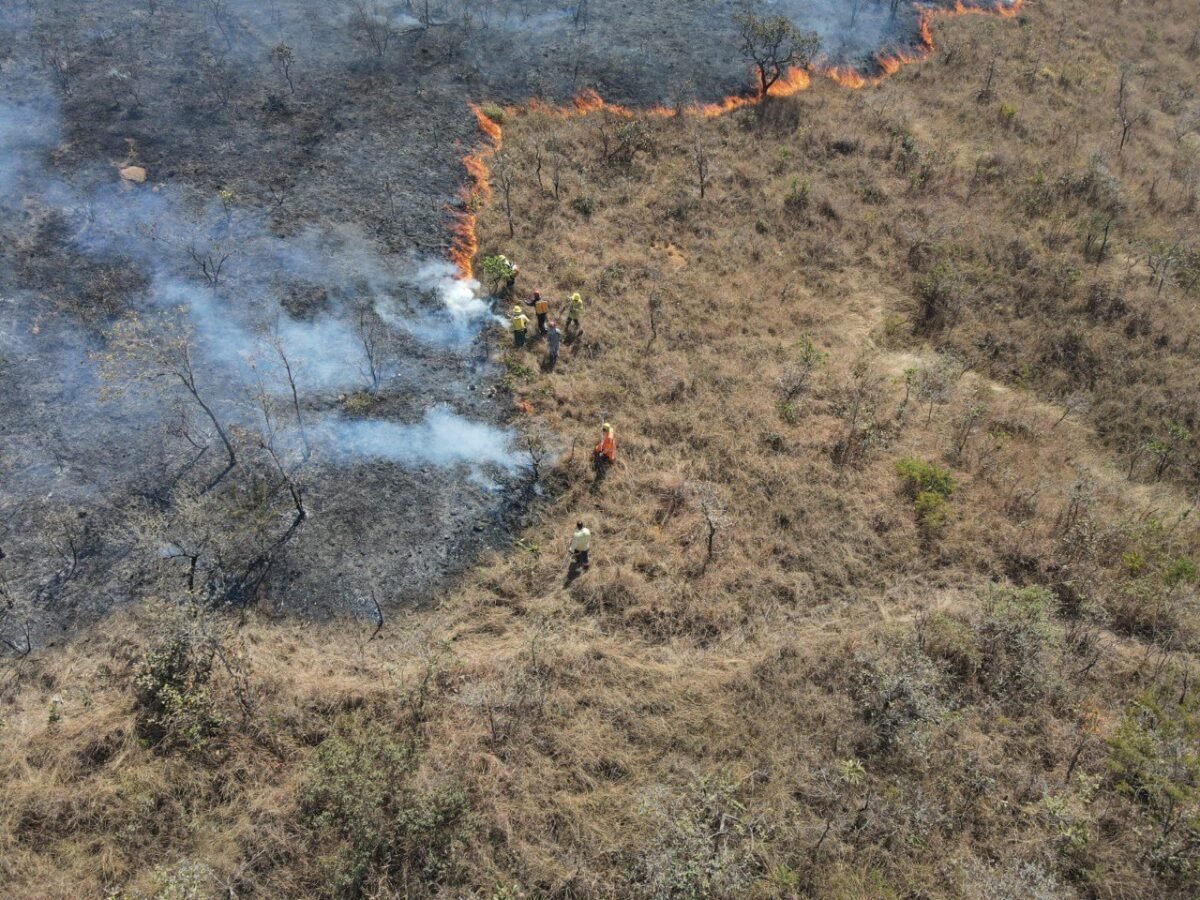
[{"x": 465, "y": 242}]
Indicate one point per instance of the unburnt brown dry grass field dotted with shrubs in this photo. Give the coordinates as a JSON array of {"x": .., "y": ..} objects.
[{"x": 895, "y": 583}]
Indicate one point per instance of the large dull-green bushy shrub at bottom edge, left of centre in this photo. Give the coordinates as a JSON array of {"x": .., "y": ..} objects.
[{"x": 373, "y": 829}]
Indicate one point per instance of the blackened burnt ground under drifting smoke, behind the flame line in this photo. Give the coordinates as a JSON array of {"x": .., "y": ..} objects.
[{"x": 267, "y": 322}]
